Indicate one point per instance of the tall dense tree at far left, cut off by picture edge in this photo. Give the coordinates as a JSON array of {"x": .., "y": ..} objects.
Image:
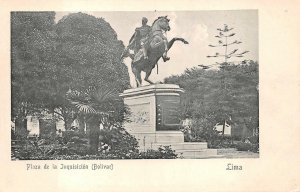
[{"x": 32, "y": 42}]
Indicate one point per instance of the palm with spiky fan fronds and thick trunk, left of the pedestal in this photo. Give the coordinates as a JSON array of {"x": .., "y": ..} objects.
[{"x": 97, "y": 106}]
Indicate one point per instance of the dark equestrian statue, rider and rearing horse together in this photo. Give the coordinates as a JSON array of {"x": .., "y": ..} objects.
[{"x": 149, "y": 44}]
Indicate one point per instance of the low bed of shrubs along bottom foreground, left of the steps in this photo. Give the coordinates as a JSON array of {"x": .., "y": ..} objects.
[{"x": 75, "y": 145}]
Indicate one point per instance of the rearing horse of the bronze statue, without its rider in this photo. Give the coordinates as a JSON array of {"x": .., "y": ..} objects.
[{"x": 157, "y": 47}]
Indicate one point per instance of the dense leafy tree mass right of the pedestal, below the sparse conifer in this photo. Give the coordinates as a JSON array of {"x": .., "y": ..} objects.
[{"x": 209, "y": 100}]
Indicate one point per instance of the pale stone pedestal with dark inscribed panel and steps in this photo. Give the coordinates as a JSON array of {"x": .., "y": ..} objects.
[{"x": 155, "y": 120}]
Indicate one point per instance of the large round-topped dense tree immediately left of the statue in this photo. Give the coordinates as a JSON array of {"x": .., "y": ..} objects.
[{"x": 88, "y": 54}]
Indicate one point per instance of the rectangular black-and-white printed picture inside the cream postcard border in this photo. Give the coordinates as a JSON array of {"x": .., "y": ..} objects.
[{"x": 134, "y": 85}]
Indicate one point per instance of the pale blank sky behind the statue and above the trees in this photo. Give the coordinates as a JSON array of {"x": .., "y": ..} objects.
[{"x": 197, "y": 27}]
